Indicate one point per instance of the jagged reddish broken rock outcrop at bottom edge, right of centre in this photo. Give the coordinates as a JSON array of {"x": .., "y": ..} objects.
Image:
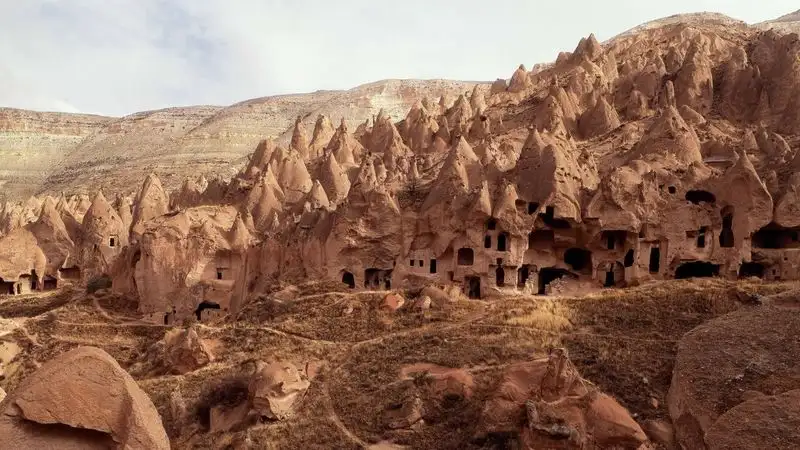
[{"x": 548, "y": 405}]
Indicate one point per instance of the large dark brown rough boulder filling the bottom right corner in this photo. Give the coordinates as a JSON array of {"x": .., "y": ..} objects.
[{"x": 732, "y": 377}]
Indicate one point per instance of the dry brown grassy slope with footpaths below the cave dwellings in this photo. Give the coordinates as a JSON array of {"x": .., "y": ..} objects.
[{"x": 624, "y": 341}]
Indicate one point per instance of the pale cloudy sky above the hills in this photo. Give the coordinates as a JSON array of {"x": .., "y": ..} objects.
[{"x": 116, "y": 57}]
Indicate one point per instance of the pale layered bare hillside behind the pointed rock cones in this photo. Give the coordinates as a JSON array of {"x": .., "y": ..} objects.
[{"x": 55, "y": 152}]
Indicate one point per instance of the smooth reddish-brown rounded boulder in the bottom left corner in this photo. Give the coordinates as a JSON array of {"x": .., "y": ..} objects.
[{"x": 81, "y": 399}]
